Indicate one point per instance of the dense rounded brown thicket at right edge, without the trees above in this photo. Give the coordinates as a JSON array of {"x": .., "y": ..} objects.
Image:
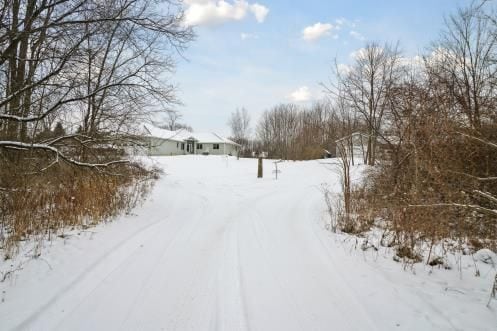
[{"x": 427, "y": 195}]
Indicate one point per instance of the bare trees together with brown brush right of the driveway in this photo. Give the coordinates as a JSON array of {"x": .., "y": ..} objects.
[{"x": 437, "y": 117}]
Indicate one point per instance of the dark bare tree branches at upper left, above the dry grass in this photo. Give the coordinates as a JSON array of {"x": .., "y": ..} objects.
[{"x": 105, "y": 59}]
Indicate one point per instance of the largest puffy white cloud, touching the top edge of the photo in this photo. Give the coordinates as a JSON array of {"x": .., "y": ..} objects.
[{"x": 211, "y": 12}]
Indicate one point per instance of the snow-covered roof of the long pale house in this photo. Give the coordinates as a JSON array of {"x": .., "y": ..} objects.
[{"x": 182, "y": 135}]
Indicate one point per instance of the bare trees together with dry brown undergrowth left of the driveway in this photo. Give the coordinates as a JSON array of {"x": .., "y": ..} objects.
[{"x": 97, "y": 68}]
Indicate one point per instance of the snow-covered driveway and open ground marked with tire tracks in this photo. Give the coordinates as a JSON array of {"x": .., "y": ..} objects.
[{"x": 215, "y": 248}]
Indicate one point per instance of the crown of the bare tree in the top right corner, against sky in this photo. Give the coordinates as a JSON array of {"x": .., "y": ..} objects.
[{"x": 463, "y": 62}]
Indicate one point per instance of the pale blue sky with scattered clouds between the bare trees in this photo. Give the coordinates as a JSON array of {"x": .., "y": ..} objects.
[{"x": 258, "y": 54}]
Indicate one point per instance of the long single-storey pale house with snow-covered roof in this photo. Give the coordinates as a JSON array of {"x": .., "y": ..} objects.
[{"x": 164, "y": 142}]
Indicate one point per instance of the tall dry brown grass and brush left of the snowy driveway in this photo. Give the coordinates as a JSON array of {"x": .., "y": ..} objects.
[{"x": 42, "y": 204}]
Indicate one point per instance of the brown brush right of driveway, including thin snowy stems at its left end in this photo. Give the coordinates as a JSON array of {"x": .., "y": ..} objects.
[{"x": 426, "y": 193}]
